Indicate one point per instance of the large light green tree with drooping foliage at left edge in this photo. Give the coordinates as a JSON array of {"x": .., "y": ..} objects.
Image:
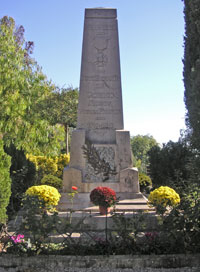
[{"x": 23, "y": 87}]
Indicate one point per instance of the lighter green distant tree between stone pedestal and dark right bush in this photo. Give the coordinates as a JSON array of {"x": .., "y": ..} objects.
[{"x": 140, "y": 145}]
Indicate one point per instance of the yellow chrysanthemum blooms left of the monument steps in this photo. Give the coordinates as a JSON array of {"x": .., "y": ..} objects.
[{"x": 48, "y": 194}]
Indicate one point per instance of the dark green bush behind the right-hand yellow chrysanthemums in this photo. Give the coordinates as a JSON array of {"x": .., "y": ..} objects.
[{"x": 169, "y": 165}]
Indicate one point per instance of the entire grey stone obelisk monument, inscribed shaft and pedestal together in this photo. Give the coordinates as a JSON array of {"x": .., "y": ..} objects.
[{"x": 100, "y": 147}]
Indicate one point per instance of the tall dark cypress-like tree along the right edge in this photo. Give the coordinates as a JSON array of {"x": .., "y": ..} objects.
[{"x": 192, "y": 68}]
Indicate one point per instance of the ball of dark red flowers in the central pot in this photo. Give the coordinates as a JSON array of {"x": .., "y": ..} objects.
[{"x": 103, "y": 197}]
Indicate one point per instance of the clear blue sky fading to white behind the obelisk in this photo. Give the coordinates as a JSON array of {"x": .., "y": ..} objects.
[{"x": 151, "y": 39}]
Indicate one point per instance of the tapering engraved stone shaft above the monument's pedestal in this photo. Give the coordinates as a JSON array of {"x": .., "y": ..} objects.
[{"x": 100, "y": 104}]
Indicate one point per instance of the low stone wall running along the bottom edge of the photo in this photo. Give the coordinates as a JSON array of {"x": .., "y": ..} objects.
[{"x": 126, "y": 263}]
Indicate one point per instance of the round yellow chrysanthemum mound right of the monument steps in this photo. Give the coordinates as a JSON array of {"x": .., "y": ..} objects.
[{"x": 163, "y": 197}]
